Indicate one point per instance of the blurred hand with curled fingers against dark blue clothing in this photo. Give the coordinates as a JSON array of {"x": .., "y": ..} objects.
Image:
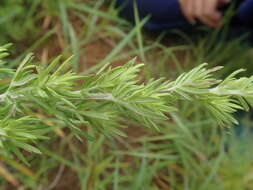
[{"x": 205, "y": 11}]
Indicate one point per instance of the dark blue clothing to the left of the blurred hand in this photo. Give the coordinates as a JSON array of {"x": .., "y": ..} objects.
[{"x": 165, "y": 14}]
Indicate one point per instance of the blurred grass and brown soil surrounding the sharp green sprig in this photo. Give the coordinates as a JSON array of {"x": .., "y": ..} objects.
[{"x": 189, "y": 152}]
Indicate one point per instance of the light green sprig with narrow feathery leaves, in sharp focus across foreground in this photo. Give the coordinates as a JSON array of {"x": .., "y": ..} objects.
[{"x": 104, "y": 100}]
